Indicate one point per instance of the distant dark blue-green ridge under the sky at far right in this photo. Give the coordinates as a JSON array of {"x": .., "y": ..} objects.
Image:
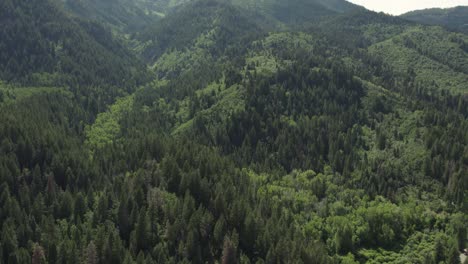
[{"x": 453, "y": 18}]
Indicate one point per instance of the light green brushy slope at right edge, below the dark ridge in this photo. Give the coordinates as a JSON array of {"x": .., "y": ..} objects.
[{"x": 428, "y": 55}]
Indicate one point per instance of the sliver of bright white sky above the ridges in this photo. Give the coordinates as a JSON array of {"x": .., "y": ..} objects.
[{"x": 397, "y": 7}]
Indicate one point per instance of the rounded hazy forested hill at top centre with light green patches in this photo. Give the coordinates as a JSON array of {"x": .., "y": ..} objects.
[{"x": 200, "y": 36}]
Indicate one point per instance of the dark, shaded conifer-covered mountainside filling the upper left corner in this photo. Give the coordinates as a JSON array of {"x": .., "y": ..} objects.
[{"x": 40, "y": 44}]
